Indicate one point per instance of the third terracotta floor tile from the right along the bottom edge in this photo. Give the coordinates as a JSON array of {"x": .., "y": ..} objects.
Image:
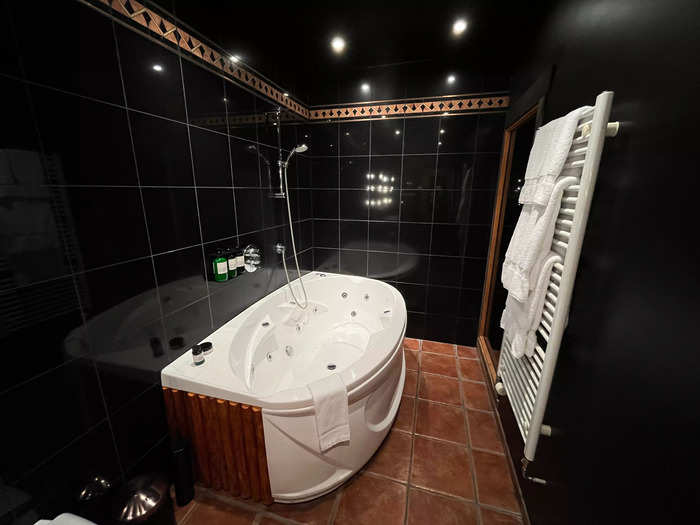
[{"x": 368, "y": 500}]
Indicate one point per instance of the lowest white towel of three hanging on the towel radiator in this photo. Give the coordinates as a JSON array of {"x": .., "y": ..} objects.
[{"x": 521, "y": 319}]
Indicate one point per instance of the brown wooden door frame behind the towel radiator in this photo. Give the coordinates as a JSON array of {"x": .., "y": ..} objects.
[{"x": 482, "y": 341}]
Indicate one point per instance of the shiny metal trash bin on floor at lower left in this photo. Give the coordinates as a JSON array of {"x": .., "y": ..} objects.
[{"x": 145, "y": 500}]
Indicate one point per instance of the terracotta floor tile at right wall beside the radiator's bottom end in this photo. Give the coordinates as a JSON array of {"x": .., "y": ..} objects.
[{"x": 494, "y": 482}]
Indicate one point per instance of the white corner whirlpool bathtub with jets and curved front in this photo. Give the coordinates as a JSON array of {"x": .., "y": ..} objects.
[{"x": 267, "y": 355}]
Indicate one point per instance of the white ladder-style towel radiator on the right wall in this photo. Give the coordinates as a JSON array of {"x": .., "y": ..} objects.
[{"x": 527, "y": 380}]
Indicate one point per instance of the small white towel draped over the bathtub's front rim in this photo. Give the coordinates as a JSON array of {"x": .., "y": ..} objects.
[{"x": 331, "y": 406}]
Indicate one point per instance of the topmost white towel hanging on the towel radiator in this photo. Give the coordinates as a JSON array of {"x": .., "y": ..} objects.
[{"x": 547, "y": 157}]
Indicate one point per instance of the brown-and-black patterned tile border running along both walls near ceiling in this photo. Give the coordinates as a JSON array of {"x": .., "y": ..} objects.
[{"x": 164, "y": 29}]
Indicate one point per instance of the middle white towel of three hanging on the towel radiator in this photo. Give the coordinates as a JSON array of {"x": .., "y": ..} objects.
[{"x": 531, "y": 239}]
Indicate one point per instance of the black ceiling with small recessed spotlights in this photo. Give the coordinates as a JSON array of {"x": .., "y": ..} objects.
[{"x": 401, "y": 51}]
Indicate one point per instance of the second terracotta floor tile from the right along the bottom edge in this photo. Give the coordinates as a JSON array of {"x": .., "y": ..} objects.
[{"x": 427, "y": 507}]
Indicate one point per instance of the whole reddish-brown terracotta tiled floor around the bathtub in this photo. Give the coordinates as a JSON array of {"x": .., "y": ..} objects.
[{"x": 442, "y": 462}]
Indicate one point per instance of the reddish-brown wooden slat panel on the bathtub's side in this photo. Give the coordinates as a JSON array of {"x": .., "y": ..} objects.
[{"x": 227, "y": 441}]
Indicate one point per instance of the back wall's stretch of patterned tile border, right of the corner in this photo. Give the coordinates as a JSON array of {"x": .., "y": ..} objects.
[{"x": 400, "y": 108}]
